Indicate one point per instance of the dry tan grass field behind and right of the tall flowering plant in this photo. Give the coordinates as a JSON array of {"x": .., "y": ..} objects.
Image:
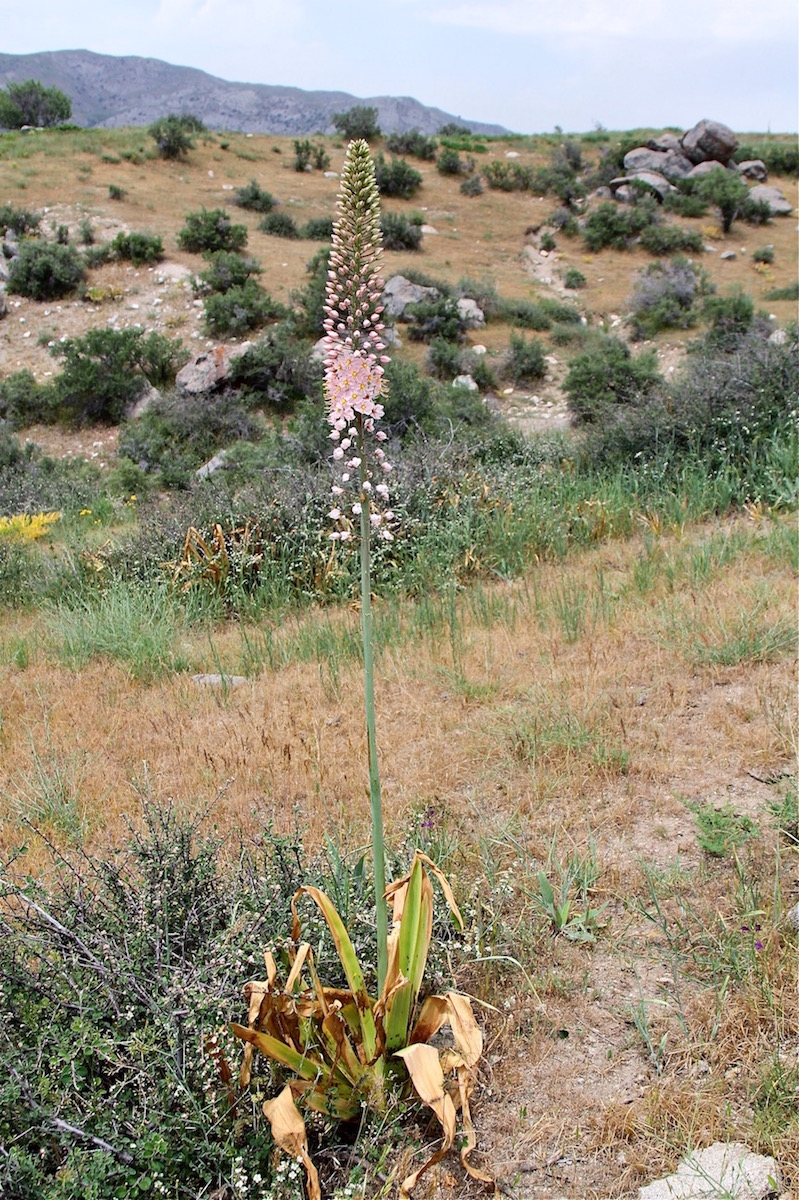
[{"x": 532, "y": 745}]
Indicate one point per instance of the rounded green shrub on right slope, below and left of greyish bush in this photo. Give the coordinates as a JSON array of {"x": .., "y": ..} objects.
[{"x": 605, "y": 376}]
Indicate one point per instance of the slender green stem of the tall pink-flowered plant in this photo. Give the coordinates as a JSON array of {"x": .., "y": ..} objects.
[{"x": 379, "y": 847}]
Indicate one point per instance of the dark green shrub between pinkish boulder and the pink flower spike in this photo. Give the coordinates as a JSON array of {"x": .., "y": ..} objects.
[{"x": 278, "y": 371}]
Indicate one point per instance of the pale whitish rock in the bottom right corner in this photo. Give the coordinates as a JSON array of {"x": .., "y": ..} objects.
[{"x": 725, "y": 1169}]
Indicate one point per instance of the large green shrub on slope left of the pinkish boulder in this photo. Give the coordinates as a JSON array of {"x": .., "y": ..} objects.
[{"x": 100, "y": 377}]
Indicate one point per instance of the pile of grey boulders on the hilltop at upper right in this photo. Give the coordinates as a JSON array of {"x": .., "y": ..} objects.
[{"x": 708, "y": 147}]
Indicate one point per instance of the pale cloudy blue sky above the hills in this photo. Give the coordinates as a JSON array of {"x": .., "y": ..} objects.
[{"x": 527, "y": 65}]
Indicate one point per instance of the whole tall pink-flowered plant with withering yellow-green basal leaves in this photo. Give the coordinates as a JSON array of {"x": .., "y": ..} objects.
[{"x": 343, "y": 1047}]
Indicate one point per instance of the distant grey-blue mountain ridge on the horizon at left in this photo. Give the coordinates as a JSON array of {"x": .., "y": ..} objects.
[{"x": 111, "y": 92}]
